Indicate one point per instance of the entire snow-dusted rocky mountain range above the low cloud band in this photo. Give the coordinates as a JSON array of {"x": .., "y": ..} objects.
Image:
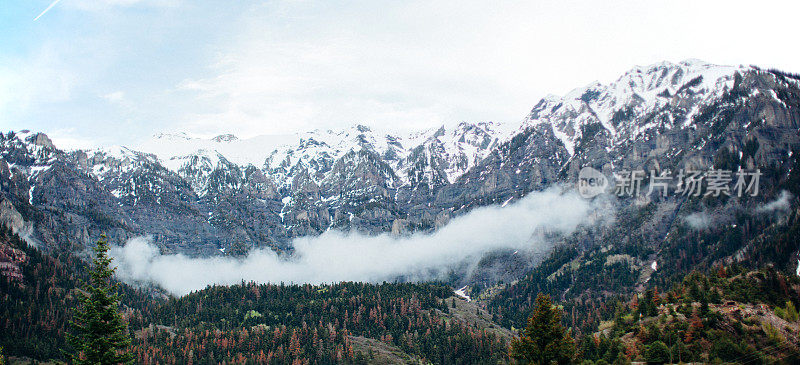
[{"x": 200, "y": 196}]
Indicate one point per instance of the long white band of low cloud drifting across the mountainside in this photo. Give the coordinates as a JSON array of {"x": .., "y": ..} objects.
[{"x": 336, "y": 256}]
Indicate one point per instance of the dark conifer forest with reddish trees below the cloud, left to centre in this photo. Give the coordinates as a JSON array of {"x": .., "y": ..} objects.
[{"x": 257, "y": 322}]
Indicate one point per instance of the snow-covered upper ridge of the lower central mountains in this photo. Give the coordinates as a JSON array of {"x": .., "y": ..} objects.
[{"x": 451, "y": 149}]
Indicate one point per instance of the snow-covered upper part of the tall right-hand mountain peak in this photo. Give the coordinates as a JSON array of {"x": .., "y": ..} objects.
[{"x": 639, "y": 92}]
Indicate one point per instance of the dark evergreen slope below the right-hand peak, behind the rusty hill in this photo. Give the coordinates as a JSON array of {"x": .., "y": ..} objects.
[{"x": 646, "y": 247}]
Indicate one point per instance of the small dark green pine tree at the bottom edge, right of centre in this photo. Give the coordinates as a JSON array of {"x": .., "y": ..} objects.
[{"x": 544, "y": 340}]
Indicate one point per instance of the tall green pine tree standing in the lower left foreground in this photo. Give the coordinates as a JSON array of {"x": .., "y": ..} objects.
[{"x": 99, "y": 332}]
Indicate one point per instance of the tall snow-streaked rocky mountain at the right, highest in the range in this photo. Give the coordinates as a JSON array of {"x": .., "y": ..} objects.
[{"x": 663, "y": 117}]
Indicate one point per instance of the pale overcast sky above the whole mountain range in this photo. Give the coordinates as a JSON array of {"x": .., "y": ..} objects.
[{"x": 115, "y": 71}]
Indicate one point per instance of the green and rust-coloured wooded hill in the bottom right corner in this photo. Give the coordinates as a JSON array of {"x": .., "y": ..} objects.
[{"x": 729, "y": 315}]
